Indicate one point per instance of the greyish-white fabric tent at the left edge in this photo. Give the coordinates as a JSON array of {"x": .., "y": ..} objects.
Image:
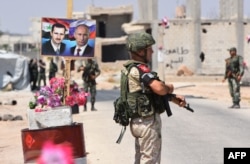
[{"x": 14, "y": 70}]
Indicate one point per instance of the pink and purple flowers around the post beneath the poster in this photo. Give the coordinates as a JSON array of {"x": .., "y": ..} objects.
[{"x": 52, "y": 96}]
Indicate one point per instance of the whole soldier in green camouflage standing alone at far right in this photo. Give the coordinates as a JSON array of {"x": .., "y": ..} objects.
[{"x": 234, "y": 72}]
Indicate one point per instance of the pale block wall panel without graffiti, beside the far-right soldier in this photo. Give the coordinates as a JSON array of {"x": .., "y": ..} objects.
[{"x": 220, "y": 36}]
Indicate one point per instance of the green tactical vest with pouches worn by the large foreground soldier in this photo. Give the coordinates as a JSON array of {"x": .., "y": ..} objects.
[{"x": 142, "y": 103}]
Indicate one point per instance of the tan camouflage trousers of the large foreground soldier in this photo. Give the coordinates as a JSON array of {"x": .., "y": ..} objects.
[{"x": 147, "y": 133}]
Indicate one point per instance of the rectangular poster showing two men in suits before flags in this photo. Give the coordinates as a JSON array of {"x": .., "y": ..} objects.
[{"x": 68, "y": 37}]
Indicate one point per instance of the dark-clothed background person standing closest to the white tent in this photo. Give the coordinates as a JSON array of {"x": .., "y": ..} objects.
[{"x": 33, "y": 70}]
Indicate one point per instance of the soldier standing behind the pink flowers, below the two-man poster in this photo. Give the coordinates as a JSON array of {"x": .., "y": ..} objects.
[{"x": 90, "y": 72}]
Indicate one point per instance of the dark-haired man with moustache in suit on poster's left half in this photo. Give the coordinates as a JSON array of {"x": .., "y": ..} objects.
[{"x": 54, "y": 46}]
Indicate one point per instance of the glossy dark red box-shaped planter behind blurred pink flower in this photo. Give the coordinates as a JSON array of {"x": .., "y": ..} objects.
[{"x": 33, "y": 140}]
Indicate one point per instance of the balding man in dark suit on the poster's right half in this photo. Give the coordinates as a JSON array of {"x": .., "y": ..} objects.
[{"x": 82, "y": 48}]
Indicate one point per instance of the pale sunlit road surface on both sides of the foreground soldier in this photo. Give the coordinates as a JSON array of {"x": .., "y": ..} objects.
[{"x": 197, "y": 138}]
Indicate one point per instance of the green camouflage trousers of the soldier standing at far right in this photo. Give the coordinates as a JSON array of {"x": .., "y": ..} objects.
[{"x": 234, "y": 89}]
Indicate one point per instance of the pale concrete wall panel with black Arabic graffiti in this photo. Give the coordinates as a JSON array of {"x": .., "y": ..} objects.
[{"x": 179, "y": 45}]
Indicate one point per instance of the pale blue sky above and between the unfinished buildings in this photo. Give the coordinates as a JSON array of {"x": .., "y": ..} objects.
[{"x": 15, "y": 15}]
